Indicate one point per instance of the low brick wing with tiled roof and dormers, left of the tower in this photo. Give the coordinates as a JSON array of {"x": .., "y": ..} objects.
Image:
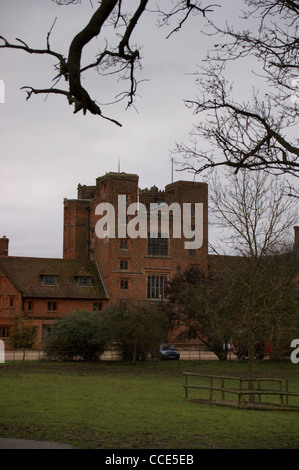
[{"x": 43, "y": 289}]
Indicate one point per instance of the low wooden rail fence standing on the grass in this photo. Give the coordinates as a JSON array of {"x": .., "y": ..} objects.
[{"x": 217, "y": 390}]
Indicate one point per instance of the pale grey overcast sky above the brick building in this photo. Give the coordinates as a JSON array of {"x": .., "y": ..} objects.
[{"x": 46, "y": 150}]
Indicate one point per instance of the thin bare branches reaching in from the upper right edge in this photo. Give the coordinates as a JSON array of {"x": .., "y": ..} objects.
[{"x": 253, "y": 135}]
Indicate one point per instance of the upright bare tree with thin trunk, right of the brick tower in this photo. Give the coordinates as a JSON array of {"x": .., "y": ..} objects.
[{"x": 256, "y": 220}]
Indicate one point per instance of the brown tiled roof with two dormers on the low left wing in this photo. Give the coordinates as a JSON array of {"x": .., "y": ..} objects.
[{"x": 26, "y": 274}]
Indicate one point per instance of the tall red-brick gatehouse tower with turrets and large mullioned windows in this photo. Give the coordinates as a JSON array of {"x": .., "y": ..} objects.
[{"x": 132, "y": 269}]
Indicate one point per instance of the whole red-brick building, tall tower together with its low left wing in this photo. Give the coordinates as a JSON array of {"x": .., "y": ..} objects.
[{"x": 95, "y": 271}]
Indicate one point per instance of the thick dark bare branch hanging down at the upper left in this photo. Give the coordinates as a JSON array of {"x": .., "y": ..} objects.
[{"x": 121, "y": 59}]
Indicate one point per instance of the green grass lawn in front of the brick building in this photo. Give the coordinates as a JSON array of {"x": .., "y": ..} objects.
[{"x": 115, "y": 405}]
